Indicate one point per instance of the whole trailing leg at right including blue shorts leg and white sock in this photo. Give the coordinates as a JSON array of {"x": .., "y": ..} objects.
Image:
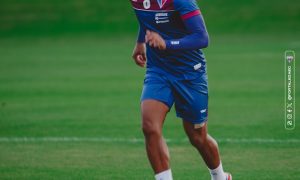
[{"x": 191, "y": 103}]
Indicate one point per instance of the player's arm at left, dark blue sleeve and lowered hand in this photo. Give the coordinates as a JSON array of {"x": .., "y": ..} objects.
[{"x": 139, "y": 51}]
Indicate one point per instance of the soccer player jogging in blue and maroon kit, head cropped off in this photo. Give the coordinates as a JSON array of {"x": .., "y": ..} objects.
[{"x": 171, "y": 36}]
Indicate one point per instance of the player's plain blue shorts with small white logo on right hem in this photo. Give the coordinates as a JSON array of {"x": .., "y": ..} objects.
[{"x": 190, "y": 96}]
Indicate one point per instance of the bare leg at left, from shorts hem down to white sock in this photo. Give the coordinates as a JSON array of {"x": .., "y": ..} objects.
[{"x": 153, "y": 116}]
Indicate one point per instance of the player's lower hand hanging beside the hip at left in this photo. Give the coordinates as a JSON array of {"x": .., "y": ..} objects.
[{"x": 139, "y": 54}]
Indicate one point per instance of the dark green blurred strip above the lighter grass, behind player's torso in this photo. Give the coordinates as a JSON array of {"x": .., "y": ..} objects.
[{"x": 77, "y": 17}]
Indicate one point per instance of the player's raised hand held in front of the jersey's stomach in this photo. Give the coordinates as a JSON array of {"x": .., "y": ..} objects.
[{"x": 155, "y": 40}]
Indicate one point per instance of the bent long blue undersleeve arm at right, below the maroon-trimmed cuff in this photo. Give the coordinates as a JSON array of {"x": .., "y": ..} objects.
[{"x": 197, "y": 39}]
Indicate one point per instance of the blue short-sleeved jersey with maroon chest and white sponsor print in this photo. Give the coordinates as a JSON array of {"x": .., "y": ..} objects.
[{"x": 166, "y": 17}]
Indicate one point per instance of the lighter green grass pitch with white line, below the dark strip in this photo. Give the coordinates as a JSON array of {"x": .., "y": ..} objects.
[{"x": 88, "y": 87}]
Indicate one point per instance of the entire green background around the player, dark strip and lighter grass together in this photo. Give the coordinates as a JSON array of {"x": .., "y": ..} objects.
[{"x": 69, "y": 91}]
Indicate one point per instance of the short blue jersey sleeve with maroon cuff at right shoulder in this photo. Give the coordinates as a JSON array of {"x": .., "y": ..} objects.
[{"x": 187, "y": 8}]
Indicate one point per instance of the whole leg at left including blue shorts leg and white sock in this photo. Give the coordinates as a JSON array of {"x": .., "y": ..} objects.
[{"x": 157, "y": 99}]
